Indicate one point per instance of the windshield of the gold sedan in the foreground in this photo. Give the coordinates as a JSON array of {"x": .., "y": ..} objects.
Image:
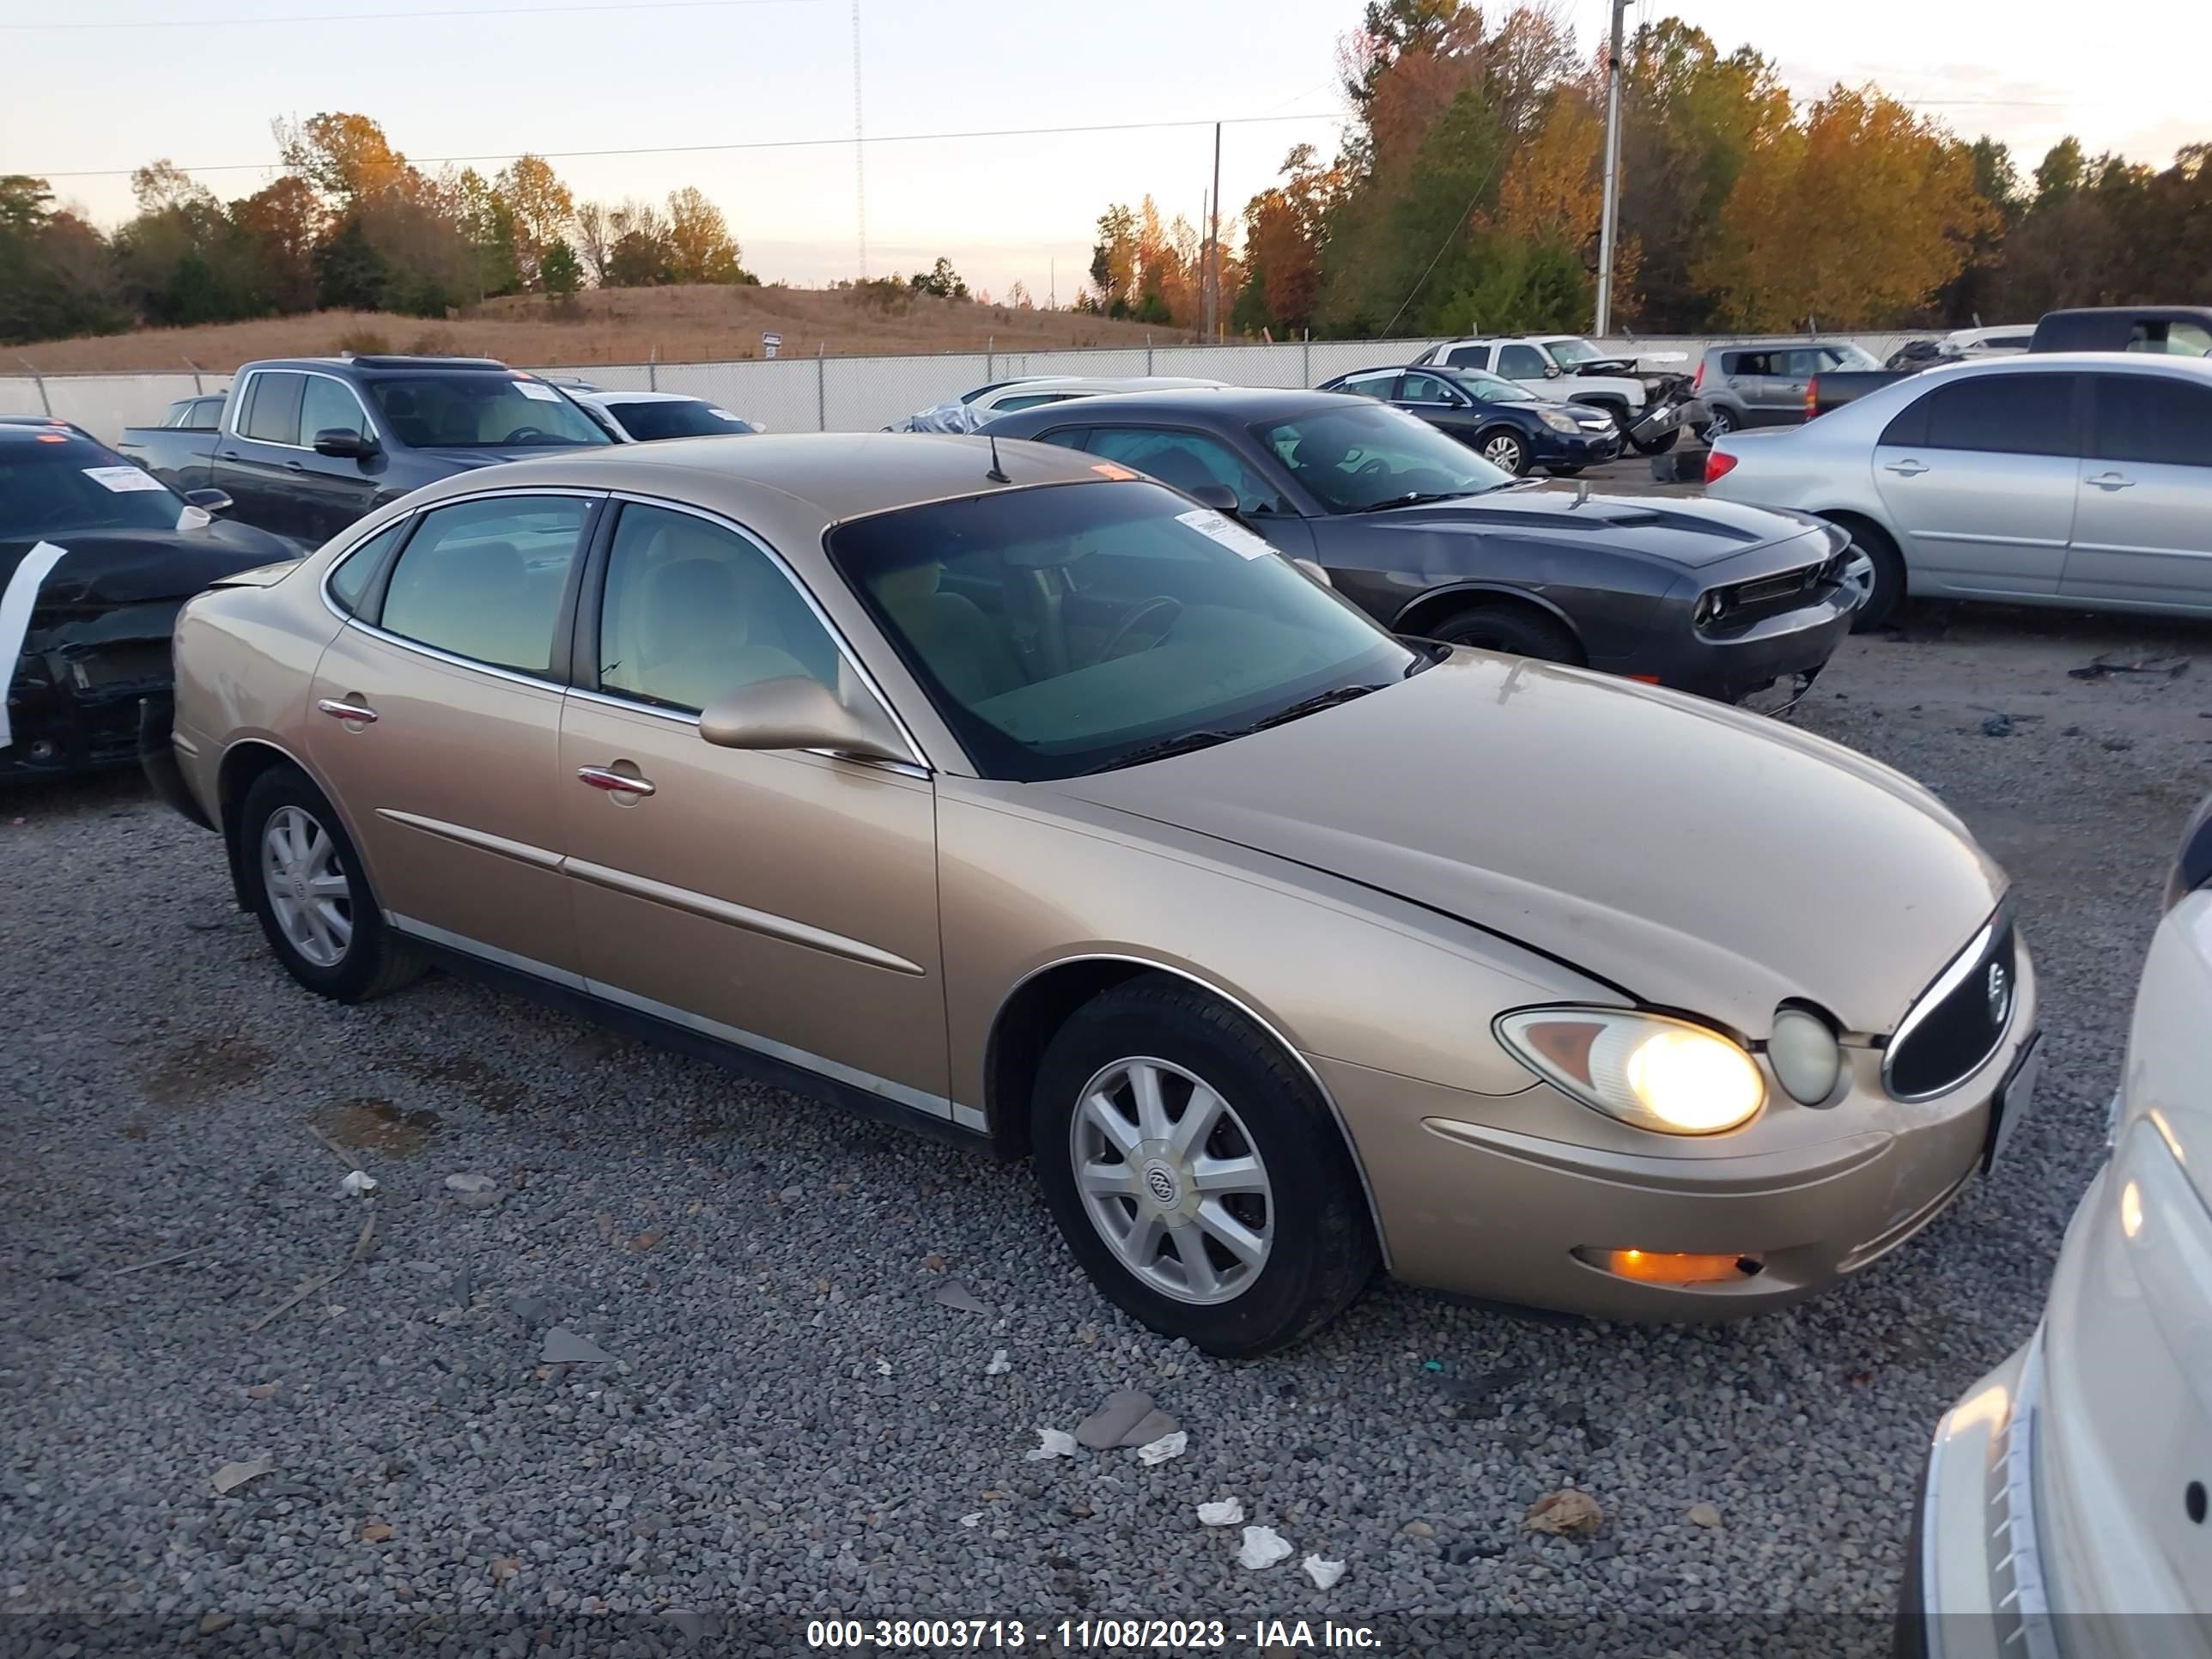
[{"x": 1070, "y": 627}]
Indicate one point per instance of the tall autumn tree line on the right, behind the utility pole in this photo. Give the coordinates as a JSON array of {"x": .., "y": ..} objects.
[{"x": 1468, "y": 194}]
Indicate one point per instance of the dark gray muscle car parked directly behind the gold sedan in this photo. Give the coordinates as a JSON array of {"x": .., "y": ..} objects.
[{"x": 1434, "y": 541}]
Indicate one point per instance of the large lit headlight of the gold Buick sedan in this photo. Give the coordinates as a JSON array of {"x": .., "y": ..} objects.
[{"x": 1645, "y": 1070}]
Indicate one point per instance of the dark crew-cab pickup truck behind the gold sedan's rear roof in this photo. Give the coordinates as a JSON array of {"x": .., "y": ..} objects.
[{"x": 309, "y": 446}]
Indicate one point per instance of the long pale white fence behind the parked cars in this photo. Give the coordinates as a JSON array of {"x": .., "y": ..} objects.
[{"x": 857, "y": 393}]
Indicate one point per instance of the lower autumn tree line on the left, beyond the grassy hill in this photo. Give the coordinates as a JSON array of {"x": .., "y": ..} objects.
[{"x": 348, "y": 225}]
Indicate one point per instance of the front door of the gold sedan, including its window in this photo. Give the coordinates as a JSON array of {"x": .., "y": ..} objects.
[{"x": 784, "y": 901}]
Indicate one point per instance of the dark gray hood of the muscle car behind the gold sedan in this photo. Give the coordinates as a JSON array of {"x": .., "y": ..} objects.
[{"x": 1687, "y": 534}]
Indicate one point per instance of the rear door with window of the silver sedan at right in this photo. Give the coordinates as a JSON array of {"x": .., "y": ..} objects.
[{"x": 1979, "y": 479}]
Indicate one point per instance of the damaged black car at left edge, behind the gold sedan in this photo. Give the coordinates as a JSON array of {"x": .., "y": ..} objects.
[{"x": 96, "y": 559}]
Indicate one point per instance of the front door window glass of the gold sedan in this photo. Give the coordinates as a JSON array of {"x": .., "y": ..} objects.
[{"x": 696, "y": 612}]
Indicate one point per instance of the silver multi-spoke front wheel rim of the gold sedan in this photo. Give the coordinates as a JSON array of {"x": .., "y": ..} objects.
[{"x": 1171, "y": 1180}]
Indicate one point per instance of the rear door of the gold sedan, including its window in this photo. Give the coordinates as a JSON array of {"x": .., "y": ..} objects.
[{"x": 437, "y": 722}]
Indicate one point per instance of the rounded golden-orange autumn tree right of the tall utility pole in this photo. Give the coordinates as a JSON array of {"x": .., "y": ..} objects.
[{"x": 1859, "y": 213}]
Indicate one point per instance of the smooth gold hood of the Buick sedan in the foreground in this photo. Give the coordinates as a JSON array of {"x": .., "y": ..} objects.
[{"x": 1698, "y": 857}]
